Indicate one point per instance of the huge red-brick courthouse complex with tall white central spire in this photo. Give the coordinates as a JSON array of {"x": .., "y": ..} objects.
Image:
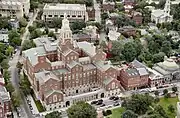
[{"x": 64, "y": 71}]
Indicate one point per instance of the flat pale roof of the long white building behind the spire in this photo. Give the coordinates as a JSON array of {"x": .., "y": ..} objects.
[{"x": 76, "y": 7}]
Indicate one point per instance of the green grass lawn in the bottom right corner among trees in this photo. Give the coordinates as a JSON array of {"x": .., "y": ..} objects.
[{"x": 165, "y": 102}]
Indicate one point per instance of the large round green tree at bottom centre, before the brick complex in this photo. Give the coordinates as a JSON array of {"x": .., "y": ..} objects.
[{"x": 75, "y": 111}]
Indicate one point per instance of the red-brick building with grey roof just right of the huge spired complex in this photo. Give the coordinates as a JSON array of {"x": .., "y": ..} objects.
[{"x": 134, "y": 76}]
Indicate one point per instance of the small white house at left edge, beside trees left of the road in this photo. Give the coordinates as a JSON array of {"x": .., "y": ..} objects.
[{"x": 4, "y": 35}]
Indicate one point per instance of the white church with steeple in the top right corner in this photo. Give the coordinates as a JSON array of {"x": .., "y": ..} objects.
[{"x": 160, "y": 16}]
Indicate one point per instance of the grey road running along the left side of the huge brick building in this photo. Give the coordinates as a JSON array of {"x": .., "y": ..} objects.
[{"x": 26, "y": 113}]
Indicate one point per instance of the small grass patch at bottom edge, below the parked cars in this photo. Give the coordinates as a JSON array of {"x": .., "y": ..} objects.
[{"x": 116, "y": 113}]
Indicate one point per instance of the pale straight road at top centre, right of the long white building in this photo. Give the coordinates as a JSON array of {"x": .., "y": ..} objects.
[{"x": 97, "y": 11}]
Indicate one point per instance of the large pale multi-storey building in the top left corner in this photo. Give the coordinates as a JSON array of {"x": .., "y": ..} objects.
[{"x": 14, "y": 8}]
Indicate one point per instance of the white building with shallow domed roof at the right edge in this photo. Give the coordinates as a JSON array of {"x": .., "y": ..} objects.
[{"x": 168, "y": 69}]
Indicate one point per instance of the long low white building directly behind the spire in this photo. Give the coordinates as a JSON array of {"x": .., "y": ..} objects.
[{"x": 73, "y": 11}]
